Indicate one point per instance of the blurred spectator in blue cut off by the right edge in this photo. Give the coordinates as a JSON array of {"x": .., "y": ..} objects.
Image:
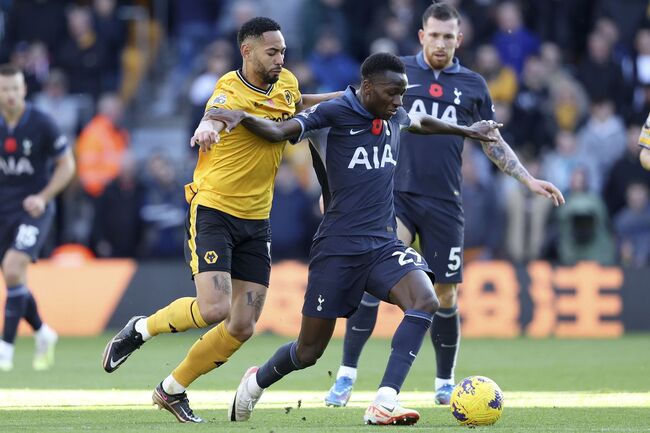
[{"x": 632, "y": 227}]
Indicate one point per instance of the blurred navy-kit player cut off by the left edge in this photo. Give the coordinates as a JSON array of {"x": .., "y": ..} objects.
[{"x": 35, "y": 165}]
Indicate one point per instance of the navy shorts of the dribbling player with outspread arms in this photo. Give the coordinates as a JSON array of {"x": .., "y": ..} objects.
[{"x": 339, "y": 273}]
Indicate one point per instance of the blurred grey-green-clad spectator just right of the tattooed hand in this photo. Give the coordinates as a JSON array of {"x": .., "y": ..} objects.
[{"x": 583, "y": 225}]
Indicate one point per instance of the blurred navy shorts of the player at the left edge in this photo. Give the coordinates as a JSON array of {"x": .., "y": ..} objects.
[{"x": 19, "y": 231}]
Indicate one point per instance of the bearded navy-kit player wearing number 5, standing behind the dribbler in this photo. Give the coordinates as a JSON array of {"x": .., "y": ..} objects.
[{"x": 428, "y": 195}]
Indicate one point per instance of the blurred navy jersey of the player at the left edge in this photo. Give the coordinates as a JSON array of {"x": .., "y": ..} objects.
[{"x": 27, "y": 156}]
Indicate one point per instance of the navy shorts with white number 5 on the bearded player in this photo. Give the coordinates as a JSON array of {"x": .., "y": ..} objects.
[{"x": 440, "y": 227}]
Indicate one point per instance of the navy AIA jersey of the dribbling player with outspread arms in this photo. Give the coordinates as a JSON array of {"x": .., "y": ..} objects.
[{"x": 354, "y": 156}]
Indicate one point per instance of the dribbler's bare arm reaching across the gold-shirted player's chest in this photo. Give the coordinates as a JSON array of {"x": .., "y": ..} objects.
[{"x": 267, "y": 129}]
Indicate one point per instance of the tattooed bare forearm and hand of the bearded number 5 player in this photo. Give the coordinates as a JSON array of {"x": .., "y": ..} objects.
[{"x": 502, "y": 155}]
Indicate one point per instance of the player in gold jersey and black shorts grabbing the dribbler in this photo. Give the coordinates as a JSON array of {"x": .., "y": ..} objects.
[{"x": 228, "y": 229}]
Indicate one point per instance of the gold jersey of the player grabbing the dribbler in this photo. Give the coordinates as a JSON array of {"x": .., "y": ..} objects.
[{"x": 238, "y": 174}]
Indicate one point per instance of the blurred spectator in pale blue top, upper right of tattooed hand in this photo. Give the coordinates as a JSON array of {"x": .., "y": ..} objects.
[{"x": 602, "y": 138}]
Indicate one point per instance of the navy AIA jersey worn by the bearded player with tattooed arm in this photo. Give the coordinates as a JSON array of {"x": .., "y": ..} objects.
[{"x": 430, "y": 164}]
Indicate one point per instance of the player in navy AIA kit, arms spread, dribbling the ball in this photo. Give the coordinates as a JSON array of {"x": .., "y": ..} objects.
[{"x": 355, "y": 142}]
